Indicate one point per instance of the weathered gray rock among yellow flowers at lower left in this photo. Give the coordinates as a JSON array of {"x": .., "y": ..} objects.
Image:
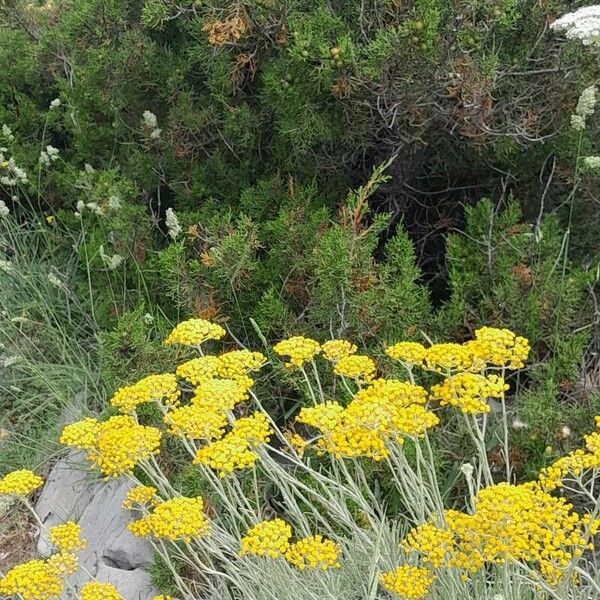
[{"x": 113, "y": 554}]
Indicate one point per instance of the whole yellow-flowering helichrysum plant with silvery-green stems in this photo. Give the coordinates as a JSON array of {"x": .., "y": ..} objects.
[{"x": 331, "y": 525}]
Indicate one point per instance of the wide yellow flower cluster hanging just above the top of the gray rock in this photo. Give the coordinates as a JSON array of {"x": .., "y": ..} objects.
[{"x": 114, "y": 445}]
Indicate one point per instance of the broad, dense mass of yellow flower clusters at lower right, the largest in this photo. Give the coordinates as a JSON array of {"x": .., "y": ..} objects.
[{"x": 510, "y": 522}]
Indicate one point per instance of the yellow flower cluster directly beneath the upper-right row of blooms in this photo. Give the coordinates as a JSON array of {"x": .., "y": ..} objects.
[{"x": 469, "y": 391}]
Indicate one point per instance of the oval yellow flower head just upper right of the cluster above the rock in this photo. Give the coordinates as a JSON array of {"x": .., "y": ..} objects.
[{"x": 197, "y": 421}]
